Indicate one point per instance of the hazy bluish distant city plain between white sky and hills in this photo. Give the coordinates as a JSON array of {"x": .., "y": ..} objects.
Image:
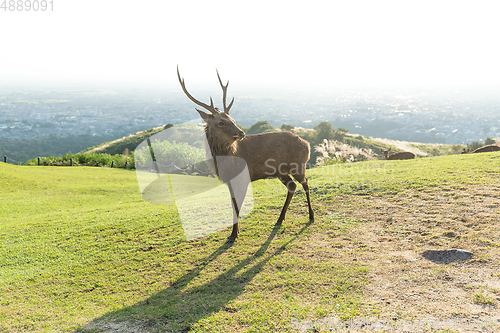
[{"x": 452, "y": 116}]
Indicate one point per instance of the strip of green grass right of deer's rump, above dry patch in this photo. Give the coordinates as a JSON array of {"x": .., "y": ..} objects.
[{"x": 422, "y": 174}]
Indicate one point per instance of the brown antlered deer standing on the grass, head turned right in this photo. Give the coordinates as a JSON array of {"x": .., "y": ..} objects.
[{"x": 267, "y": 155}]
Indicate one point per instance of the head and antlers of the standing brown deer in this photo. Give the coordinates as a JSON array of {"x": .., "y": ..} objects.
[{"x": 219, "y": 124}]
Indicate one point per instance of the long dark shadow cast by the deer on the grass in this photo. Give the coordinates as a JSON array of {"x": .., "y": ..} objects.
[{"x": 185, "y": 307}]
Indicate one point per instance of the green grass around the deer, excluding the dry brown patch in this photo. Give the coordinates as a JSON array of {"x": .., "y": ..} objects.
[{"x": 80, "y": 249}]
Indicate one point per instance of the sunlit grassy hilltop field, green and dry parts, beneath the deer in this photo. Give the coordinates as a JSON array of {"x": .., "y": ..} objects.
[{"x": 81, "y": 251}]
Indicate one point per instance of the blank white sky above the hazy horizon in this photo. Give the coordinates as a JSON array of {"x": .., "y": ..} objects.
[{"x": 273, "y": 42}]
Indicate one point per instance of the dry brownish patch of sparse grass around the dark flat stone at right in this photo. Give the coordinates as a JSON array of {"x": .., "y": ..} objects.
[{"x": 402, "y": 283}]
